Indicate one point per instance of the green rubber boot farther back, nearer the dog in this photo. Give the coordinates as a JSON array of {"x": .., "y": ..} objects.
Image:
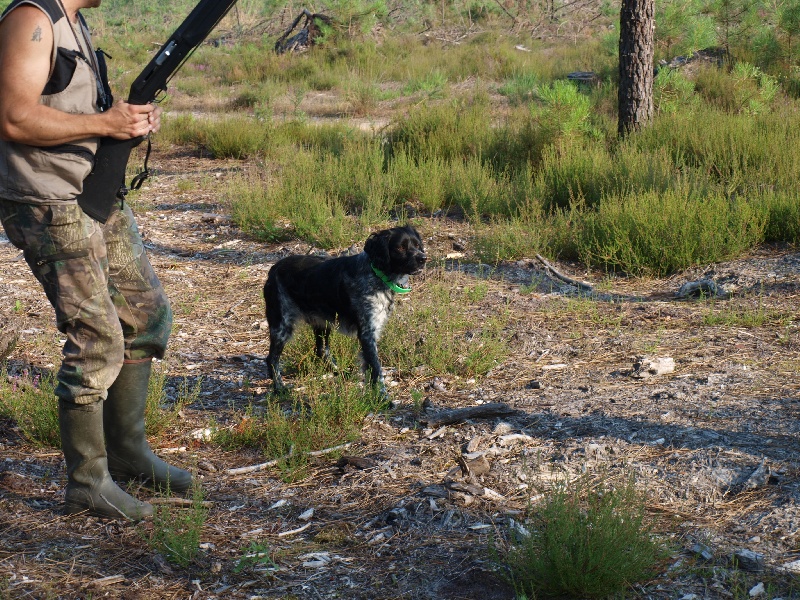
[{"x": 129, "y": 455}]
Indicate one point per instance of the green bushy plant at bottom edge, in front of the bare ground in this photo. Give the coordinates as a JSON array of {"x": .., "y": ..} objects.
[{"x": 584, "y": 542}]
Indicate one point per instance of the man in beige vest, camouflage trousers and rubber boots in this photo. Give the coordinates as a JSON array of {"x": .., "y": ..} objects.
[{"x": 107, "y": 300}]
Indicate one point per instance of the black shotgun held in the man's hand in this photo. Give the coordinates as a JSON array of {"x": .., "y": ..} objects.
[{"x": 106, "y": 183}]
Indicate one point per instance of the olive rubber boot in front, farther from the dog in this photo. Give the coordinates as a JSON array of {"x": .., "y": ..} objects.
[{"x": 89, "y": 484}]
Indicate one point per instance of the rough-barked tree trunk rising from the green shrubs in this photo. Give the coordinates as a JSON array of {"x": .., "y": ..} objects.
[{"x": 636, "y": 29}]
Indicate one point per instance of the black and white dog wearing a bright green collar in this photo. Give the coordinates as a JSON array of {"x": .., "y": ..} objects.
[{"x": 353, "y": 293}]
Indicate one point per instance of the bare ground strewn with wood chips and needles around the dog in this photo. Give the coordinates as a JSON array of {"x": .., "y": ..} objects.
[{"x": 714, "y": 443}]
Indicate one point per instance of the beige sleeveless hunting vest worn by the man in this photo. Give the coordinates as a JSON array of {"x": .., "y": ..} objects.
[{"x": 44, "y": 175}]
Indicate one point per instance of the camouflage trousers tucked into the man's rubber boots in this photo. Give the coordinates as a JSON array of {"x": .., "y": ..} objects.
[{"x": 107, "y": 298}]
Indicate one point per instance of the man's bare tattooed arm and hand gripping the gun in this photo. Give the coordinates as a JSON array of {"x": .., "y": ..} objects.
[{"x": 26, "y": 40}]
